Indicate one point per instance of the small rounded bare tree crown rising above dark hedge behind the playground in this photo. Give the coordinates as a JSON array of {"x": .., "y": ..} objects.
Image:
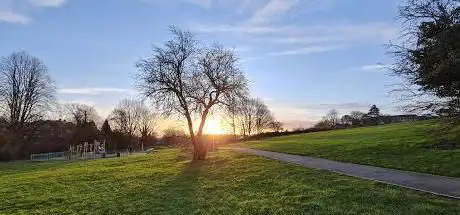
[{"x": 81, "y": 114}]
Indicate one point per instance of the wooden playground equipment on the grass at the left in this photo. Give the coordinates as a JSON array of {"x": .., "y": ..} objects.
[{"x": 87, "y": 150}]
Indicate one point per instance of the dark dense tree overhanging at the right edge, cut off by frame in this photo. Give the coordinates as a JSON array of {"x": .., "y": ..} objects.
[{"x": 428, "y": 56}]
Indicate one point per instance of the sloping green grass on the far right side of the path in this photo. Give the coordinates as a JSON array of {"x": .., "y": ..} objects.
[{"x": 398, "y": 146}]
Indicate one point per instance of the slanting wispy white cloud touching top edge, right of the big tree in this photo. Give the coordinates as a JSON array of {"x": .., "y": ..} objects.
[{"x": 272, "y": 9}]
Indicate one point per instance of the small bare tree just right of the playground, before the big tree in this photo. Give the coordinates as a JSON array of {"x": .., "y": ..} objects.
[{"x": 126, "y": 117}]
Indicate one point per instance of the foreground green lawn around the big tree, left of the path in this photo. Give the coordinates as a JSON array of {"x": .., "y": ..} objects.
[{"x": 227, "y": 183}]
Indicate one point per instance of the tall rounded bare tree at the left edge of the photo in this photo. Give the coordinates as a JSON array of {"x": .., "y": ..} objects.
[{"x": 26, "y": 89}]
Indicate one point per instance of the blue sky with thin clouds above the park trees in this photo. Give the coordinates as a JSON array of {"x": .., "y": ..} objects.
[{"x": 302, "y": 57}]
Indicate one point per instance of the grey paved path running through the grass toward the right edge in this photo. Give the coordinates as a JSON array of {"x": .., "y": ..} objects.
[{"x": 439, "y": 185}]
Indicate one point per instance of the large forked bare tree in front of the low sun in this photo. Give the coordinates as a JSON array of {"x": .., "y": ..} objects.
[{"x": 186, "y": 79}]
